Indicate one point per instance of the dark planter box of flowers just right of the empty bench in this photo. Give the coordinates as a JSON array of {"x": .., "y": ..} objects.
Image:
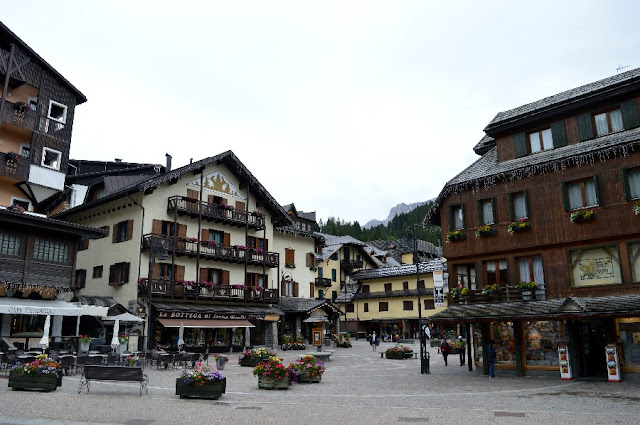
[{"x": 201, "y": 382}]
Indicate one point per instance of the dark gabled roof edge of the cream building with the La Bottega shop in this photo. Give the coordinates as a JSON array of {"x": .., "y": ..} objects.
[{"x": 228, "y": 158}]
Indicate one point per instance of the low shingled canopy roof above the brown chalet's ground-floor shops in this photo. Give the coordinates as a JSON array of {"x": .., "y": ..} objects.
[{"x": 616, "y": 305}]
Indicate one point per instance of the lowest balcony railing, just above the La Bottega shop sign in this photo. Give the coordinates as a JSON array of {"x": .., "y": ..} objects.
[{"x": 201, "y": 291}]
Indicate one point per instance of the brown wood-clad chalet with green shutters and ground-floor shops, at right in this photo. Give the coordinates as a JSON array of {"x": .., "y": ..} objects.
[{"x": 553, "y": 199}]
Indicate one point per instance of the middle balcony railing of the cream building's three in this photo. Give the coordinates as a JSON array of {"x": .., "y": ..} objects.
[{"x": 212, "y": 251}]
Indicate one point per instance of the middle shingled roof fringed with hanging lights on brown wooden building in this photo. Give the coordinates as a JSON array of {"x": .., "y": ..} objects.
[{"x": 487, "y": 171}]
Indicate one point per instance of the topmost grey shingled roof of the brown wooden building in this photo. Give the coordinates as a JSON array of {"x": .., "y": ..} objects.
[{"x": 576, "y": 97}]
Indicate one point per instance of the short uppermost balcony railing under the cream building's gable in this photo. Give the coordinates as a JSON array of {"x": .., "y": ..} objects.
[{"x": 215, "y": 212}]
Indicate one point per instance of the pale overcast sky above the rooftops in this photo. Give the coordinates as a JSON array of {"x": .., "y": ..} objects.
[{"x": 345, "y": 108}]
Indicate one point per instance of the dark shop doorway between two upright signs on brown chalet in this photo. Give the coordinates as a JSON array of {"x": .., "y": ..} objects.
[{"x": 593, "y": 335}]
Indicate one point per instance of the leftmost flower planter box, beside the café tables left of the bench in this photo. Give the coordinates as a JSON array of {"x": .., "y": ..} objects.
[{"x": 42, "y": 374}]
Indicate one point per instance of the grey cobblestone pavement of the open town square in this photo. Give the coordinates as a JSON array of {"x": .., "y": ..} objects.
[{"x": 357, "y": 387}]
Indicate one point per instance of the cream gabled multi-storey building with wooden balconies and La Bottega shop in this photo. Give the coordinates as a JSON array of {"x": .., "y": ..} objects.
[{"x": 192, "y": 246}]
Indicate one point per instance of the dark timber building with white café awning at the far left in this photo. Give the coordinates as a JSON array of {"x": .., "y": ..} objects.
[{"x": 37, "y": 254}]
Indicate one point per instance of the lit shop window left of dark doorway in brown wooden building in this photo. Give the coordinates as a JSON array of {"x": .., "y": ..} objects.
[{"x": 541, "y": 342}]
